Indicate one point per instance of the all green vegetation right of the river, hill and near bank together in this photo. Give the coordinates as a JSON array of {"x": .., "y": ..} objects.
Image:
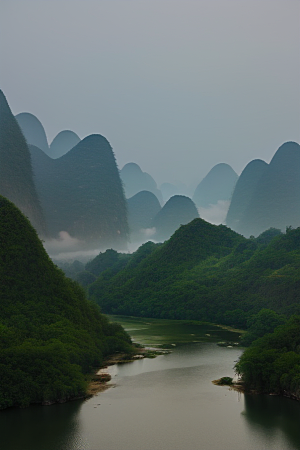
[{"x": 210, "y": 273}]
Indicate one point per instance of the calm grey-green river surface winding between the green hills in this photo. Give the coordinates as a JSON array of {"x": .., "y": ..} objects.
[{"x": 166, "y": 403}]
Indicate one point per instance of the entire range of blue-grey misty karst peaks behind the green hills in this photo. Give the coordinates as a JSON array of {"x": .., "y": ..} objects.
[{"x": 74, "y": 186}]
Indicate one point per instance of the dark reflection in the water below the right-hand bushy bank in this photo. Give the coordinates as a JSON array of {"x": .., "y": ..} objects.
[{"x": 273, "y": 418}]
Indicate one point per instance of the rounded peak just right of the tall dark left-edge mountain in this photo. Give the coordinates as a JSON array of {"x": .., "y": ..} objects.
[{"x": 33, "y": 131}]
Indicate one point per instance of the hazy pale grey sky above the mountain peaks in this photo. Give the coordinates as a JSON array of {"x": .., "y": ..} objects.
[{"x": 175, "y": 86}]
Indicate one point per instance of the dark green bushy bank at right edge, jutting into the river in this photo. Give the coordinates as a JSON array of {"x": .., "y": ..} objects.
[{"x": 272, "y": 363}]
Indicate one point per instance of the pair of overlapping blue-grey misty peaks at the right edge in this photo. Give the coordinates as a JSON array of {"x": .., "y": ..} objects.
[{"x": 268, "y": 195}]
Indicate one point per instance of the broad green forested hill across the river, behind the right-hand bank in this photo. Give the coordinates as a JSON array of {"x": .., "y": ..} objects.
[{"x": 207, "y": 272}]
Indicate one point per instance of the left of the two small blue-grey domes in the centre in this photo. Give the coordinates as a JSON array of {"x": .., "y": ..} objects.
[{"x": 142, "y": 208}]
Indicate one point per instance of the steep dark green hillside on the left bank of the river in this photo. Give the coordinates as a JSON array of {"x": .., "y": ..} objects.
[{"x": 50, "y": 334}]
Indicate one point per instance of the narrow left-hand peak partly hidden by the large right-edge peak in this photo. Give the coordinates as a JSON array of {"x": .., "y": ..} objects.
[{"x": 243, "y": 192}]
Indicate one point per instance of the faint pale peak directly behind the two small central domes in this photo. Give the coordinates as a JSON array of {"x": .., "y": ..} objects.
[{"x": 135, "y": 180}]
